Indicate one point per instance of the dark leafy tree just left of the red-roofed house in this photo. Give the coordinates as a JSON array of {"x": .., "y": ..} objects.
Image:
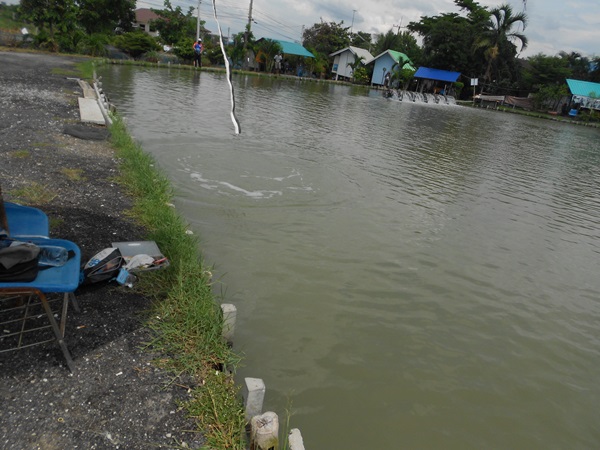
[{"x": 103, "y": 16}]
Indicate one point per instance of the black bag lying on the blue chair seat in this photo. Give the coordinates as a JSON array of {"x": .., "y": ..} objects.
[{"x": 19, "y": 262}]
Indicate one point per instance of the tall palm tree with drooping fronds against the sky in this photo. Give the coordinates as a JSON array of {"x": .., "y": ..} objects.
[{"x": 500, "y": 25}]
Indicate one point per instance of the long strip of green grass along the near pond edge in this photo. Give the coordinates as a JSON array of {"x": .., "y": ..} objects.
[{"x": 186, "y": 319}]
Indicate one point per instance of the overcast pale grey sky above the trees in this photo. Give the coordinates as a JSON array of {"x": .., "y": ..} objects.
[{"x": 554, "y": 25}]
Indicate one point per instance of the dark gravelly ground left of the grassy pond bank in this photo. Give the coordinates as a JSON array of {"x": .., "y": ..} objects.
[{"x": 116, "y": 399}]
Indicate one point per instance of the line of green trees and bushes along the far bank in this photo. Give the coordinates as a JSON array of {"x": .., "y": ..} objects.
[{"x": 477, "y": 41}]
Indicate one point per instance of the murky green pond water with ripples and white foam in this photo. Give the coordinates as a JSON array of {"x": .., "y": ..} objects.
[{"x": 407, "y": 276}]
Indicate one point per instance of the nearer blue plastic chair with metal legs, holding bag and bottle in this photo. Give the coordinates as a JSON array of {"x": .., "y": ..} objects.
[{"x": 63, "y": 279}]
